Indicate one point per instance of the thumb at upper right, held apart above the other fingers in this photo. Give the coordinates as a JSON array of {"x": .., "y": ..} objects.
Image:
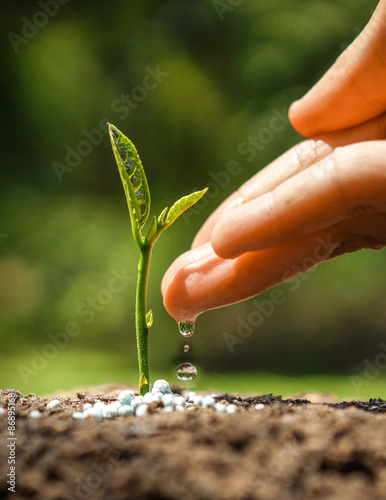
[{"x": 353, "y": 90}]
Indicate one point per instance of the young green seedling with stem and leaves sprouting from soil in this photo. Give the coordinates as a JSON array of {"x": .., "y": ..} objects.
[{"x": 138, "y": 200}]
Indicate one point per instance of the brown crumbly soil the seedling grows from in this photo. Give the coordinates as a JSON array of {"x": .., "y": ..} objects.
[{"x": 290, "y": 449}]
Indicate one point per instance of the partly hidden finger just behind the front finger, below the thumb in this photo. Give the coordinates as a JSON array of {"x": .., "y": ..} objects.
[{"x": 292, "y": 162}]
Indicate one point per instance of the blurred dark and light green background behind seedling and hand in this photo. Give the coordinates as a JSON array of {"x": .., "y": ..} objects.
[{"x": 188, "y": 82}]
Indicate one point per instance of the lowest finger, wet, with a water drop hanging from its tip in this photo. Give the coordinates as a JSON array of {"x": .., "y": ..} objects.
[{"x": 200, "y": 280}]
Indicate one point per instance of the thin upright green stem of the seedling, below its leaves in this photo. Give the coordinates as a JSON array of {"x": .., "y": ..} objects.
[{"x": 140, "y": 319}]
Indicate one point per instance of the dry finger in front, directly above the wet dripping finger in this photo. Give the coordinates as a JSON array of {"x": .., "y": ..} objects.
[{"x": 350, "y": 181}]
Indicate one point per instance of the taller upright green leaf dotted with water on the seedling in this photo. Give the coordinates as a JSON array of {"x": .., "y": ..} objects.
[{"x": 132, "y": 175}]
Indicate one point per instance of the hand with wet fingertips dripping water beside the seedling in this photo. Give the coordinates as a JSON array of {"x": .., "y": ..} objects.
[{"x": 324, "y": 197}]
